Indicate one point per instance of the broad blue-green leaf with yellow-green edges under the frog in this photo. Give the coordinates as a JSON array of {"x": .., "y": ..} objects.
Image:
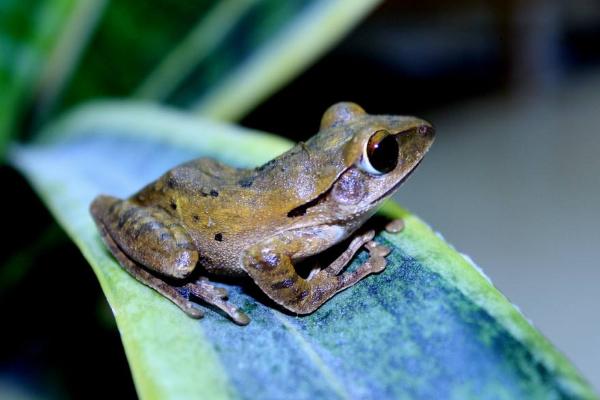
[{"x": 430, "y": 326}]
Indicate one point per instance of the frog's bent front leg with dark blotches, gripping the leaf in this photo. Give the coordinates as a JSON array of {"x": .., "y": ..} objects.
[{"x": 270, "y": 266}]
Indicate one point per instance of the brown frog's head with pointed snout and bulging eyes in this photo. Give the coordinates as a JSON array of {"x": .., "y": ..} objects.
[{"x": 367, "y": 158}]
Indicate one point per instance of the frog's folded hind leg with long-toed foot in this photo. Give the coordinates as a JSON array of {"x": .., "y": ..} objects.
[{"x": 146, "y": 237}]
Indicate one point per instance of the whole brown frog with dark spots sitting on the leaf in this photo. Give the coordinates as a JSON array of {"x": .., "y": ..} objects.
[{"x": 205, "y": 219}]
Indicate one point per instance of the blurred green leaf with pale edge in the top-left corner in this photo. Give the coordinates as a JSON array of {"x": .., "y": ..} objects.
[{"x": 39, "y": 43}]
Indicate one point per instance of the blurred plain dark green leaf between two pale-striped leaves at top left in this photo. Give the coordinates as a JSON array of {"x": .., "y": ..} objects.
[{"x": 132, "y": 38}]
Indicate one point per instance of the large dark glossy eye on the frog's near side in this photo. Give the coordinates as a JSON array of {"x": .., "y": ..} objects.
[{"x": 380, "y": 155}]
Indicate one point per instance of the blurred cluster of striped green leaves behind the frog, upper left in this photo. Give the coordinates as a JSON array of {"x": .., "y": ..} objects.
[{"x": 215, "y": 58}]
